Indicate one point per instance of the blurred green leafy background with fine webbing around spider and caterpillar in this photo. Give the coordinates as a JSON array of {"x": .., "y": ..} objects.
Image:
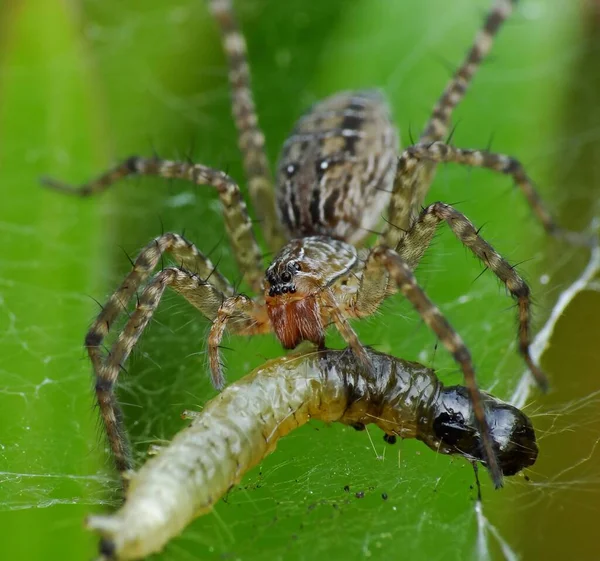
[{"x": 83, "y": 84}]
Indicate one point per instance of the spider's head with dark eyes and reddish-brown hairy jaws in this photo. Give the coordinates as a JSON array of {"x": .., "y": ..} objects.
[{"x": 293, "y": 281}]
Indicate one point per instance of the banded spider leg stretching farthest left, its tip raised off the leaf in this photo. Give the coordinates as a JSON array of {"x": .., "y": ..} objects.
[{"x": 237, "y": 220}]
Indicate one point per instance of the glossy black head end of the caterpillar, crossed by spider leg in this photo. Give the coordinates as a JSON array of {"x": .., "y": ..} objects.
[{"x": 454, "y": 428}]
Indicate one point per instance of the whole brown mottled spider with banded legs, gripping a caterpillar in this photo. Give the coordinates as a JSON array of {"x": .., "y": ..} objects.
[{"x": 338, "y": 171}]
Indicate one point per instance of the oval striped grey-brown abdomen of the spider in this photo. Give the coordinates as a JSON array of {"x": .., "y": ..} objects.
[{"x": 337, "y": 167}]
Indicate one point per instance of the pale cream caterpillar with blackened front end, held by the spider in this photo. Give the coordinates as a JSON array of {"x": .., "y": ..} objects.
[{"x": 242, "y": 425}]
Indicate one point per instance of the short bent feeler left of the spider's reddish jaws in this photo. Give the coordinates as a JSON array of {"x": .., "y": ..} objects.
[{"x": 243, "y": 316}]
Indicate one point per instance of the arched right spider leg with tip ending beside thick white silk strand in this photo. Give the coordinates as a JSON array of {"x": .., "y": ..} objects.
[{"x": 415, "y": 243}]
